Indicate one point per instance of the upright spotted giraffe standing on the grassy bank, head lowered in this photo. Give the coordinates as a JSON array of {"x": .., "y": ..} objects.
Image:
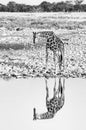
[{"x": 53, "y": 43}]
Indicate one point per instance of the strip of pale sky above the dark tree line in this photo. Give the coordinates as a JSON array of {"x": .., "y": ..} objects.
[{"x": 30, "y": 2}]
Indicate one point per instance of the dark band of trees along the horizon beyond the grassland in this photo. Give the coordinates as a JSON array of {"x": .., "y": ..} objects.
[{"x": 67, "y": 6}]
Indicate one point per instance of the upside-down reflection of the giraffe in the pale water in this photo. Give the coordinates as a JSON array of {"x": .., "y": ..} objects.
[{"x": 54, "y": 104}]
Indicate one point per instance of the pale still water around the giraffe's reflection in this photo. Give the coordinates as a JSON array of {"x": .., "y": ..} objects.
[{"x": 19, "y": 97}]
